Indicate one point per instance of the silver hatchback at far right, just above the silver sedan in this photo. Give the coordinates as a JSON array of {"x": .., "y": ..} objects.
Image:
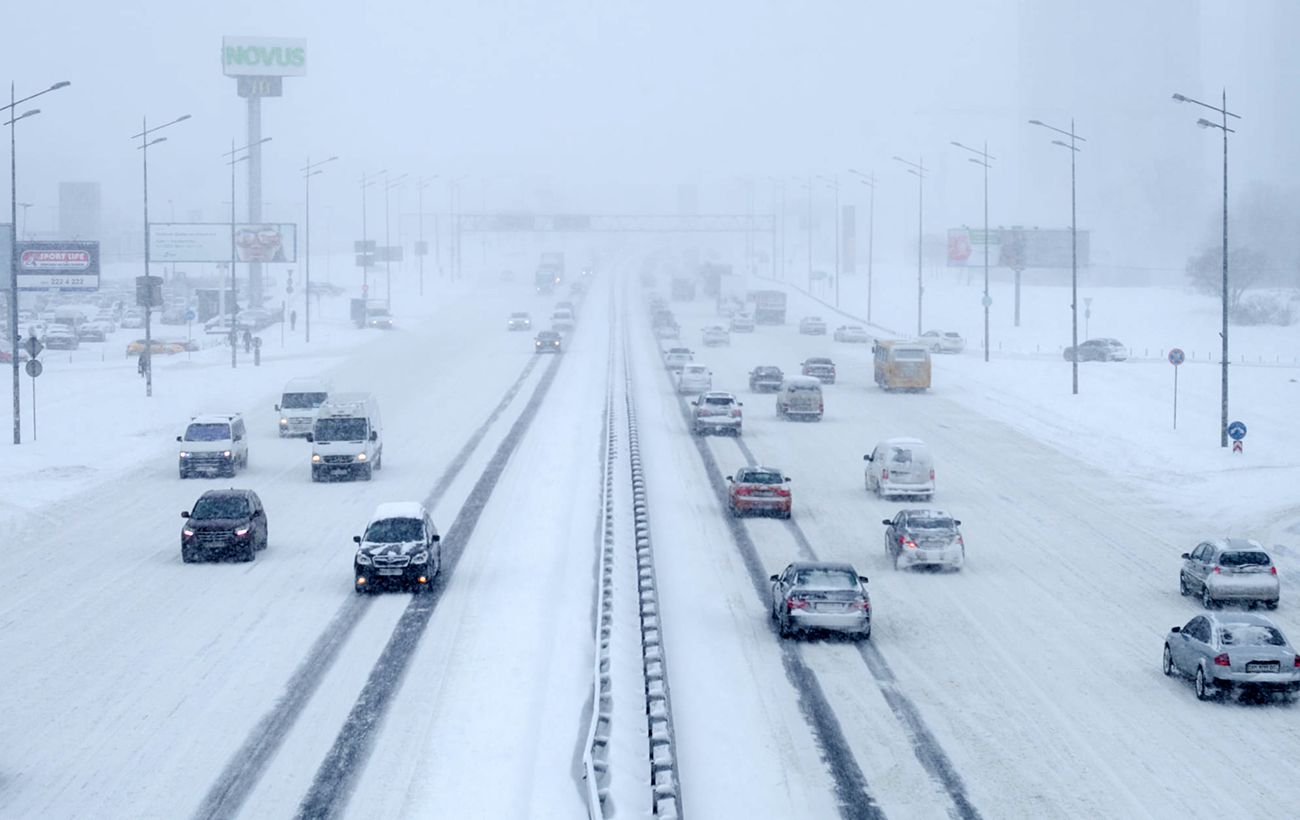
[{"x": 1230, "y": 570}]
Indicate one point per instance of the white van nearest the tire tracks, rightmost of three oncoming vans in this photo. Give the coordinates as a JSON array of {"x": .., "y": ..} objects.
[{"x": 348, "y": 437}]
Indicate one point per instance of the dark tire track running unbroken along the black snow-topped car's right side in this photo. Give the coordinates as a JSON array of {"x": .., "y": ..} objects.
[{"x": 335, "y": 780}]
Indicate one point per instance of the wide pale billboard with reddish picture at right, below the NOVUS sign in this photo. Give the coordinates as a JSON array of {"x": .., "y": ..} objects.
[{"x": 210, "y": 242}]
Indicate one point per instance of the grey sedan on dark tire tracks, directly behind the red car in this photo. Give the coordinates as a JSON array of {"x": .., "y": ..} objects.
[{"x": 813, "y": 596}]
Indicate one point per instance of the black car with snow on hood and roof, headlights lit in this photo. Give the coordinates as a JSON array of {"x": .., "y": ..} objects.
[{"x": 401, "y": 548}]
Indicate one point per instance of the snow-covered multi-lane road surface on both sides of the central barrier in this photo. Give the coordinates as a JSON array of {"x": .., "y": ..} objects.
[{"x": 1028, "y": 685}]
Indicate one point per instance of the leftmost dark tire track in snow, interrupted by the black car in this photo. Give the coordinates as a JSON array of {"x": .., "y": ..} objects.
[{"x": 226, "y": 799}]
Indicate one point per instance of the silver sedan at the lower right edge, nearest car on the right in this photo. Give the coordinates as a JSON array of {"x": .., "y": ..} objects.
[{"x": 1223, "y": 653}]
